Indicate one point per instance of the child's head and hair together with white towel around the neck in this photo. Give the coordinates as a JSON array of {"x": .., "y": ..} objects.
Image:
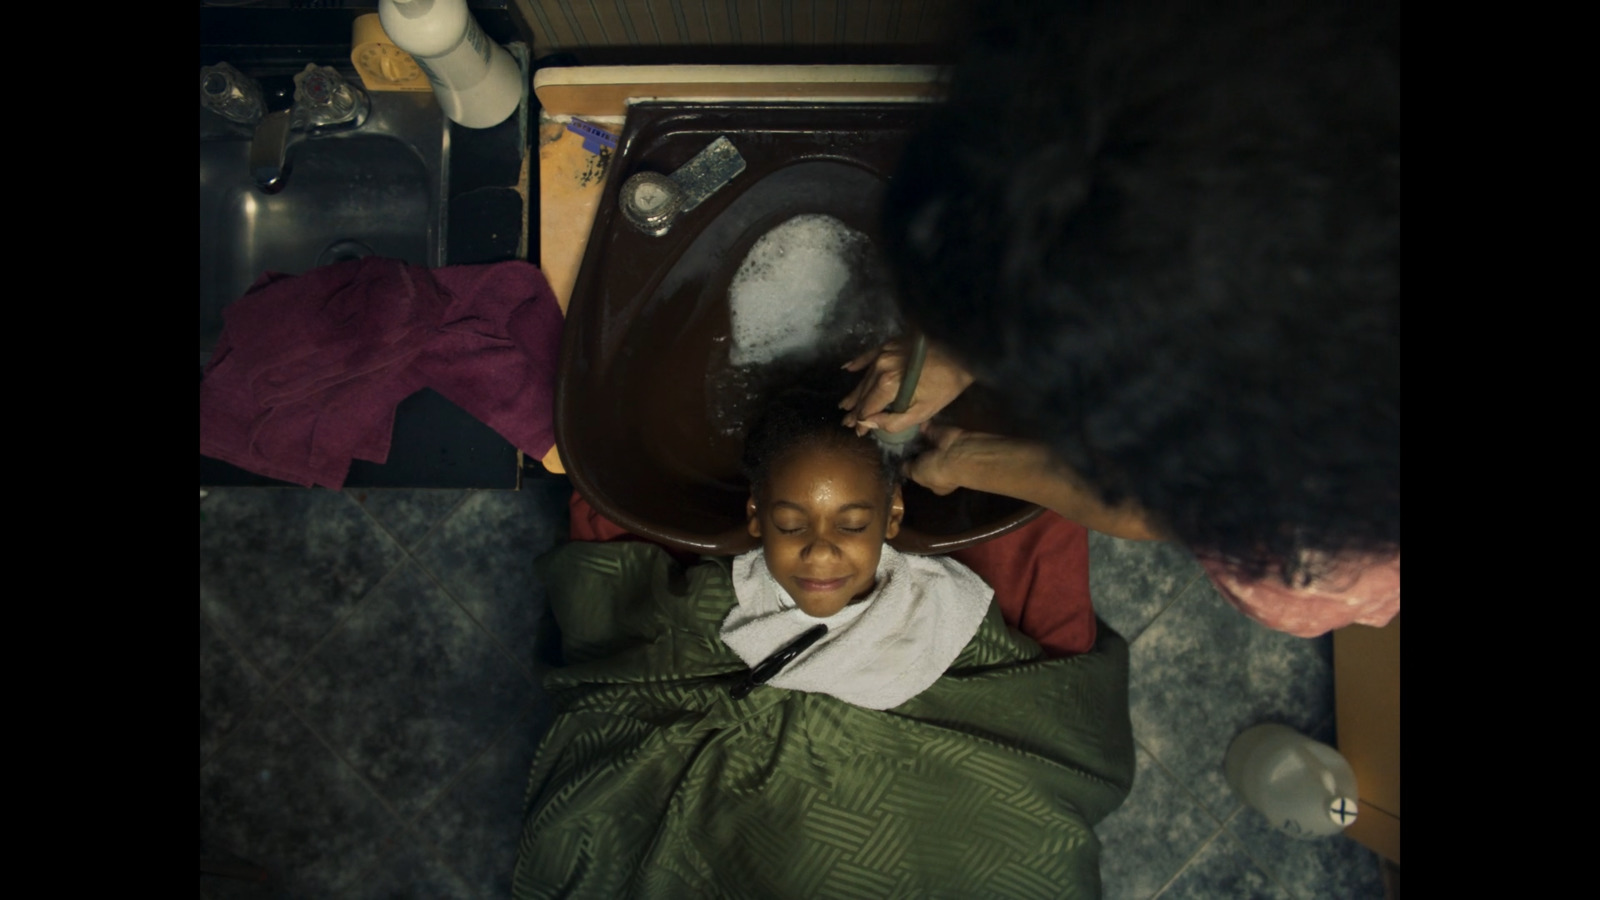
[{"x": 825, "y": 504}]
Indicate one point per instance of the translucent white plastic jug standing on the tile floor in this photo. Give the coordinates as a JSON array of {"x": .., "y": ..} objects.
[{"x": 1303, "y": 787}]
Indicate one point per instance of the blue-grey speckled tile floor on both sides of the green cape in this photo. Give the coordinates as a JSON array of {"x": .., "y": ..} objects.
[{"x": 370, "y": 702}]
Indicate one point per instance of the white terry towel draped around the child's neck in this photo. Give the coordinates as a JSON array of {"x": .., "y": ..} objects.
[{"x": 879, "y": 653}]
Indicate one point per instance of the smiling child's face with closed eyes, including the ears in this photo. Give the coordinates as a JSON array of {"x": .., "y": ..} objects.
[{"x": 823, "y": 528}]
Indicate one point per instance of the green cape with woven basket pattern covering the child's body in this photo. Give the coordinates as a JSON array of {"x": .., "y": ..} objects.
[{"x": 652, "y": 782}]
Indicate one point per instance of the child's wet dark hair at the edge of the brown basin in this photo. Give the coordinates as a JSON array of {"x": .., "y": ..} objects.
[{"x": 806, "y": 417}]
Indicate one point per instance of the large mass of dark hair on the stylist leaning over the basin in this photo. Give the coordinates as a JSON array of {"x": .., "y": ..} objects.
[{"x": 1172, "y": 235}]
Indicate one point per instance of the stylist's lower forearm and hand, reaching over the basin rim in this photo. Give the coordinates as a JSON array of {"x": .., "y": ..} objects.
[{"x": 1025, "y": 470}]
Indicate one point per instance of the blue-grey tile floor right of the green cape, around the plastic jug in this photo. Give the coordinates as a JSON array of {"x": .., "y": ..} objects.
[{"x": 1202, "y": 673}]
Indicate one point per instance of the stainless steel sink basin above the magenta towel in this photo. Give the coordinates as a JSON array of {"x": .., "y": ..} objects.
[{"x": 378, "y": 190}]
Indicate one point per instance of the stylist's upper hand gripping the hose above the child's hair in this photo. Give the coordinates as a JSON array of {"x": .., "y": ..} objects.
[{"x": 942, "y": 382}]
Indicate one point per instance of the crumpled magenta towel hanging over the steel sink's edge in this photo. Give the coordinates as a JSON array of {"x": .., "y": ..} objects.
[{"x": 310, "y": 369}]
